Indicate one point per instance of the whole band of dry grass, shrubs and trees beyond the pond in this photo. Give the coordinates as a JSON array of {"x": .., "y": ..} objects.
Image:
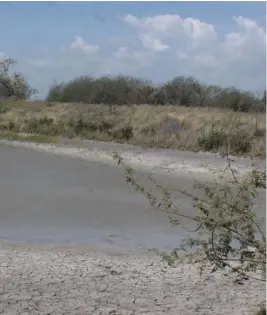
[{"x": 78, "y": 109}]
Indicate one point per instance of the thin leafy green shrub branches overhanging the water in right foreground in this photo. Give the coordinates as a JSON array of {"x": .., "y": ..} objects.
[{"x": 228, "y": 231}]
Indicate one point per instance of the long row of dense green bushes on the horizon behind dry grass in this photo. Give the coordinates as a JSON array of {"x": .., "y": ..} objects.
[{"x": 181, "y": 91}]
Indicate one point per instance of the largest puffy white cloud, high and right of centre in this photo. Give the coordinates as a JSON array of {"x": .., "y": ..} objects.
[{"x": 161, "y": 33}]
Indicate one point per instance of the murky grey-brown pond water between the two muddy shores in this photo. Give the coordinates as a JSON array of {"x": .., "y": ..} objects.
[{"x": 55, "y": 199}]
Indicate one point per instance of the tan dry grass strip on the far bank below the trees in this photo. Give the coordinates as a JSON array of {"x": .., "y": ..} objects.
[{"x": 161, "y": 126}]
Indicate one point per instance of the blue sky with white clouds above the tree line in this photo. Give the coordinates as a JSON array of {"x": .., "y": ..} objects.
[{"x": 220, "y": 43}]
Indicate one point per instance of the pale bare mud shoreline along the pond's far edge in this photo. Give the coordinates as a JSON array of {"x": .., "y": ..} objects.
[{"x": 201, "y": 165}]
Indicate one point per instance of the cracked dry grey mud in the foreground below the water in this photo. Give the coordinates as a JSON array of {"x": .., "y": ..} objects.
[{"x": 75, "y": 281}]
